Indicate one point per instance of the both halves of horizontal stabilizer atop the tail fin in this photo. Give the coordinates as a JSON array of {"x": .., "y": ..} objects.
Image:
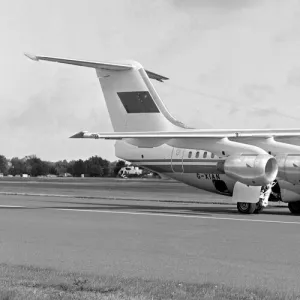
[{"x": 95, "y": 65}]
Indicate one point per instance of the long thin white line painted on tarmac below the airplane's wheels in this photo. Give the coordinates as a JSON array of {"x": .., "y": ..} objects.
[{"x": 179, "y": 216}]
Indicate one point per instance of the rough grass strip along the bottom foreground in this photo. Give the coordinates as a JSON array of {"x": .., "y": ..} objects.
[{"x": 22, "y": 282}]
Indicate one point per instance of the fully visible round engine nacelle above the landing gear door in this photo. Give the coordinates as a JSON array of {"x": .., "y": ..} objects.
[{"x": 252, "y": 170}]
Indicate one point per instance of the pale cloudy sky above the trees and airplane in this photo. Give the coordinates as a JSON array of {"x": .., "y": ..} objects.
[{"x": 231, "y": 64}]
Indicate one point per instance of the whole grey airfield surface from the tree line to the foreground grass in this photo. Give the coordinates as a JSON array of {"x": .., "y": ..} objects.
[{"x": 125, "y": 227}]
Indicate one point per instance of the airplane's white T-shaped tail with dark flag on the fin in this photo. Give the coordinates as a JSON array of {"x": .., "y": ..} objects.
[{"x": 132, "y": 101}]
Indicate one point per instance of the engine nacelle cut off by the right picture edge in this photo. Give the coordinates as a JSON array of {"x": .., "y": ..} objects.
[{"x": 289, "y": 168}]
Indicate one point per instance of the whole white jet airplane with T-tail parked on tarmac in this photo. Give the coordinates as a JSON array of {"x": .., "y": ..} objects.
[{"x": 253, "y": 166}]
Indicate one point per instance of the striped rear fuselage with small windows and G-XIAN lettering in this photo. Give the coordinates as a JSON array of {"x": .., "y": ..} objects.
[{"x": 197, "y": 168}]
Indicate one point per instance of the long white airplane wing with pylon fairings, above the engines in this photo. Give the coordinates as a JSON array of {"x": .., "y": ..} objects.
[{"x": 218, "y": 141}]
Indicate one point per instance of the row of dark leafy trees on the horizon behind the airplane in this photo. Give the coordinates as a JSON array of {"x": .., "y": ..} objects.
[{"x": 32, "y": 165}]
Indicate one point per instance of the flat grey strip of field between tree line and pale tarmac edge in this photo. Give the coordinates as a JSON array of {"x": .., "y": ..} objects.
[{"x": 106, "y": 188}]
